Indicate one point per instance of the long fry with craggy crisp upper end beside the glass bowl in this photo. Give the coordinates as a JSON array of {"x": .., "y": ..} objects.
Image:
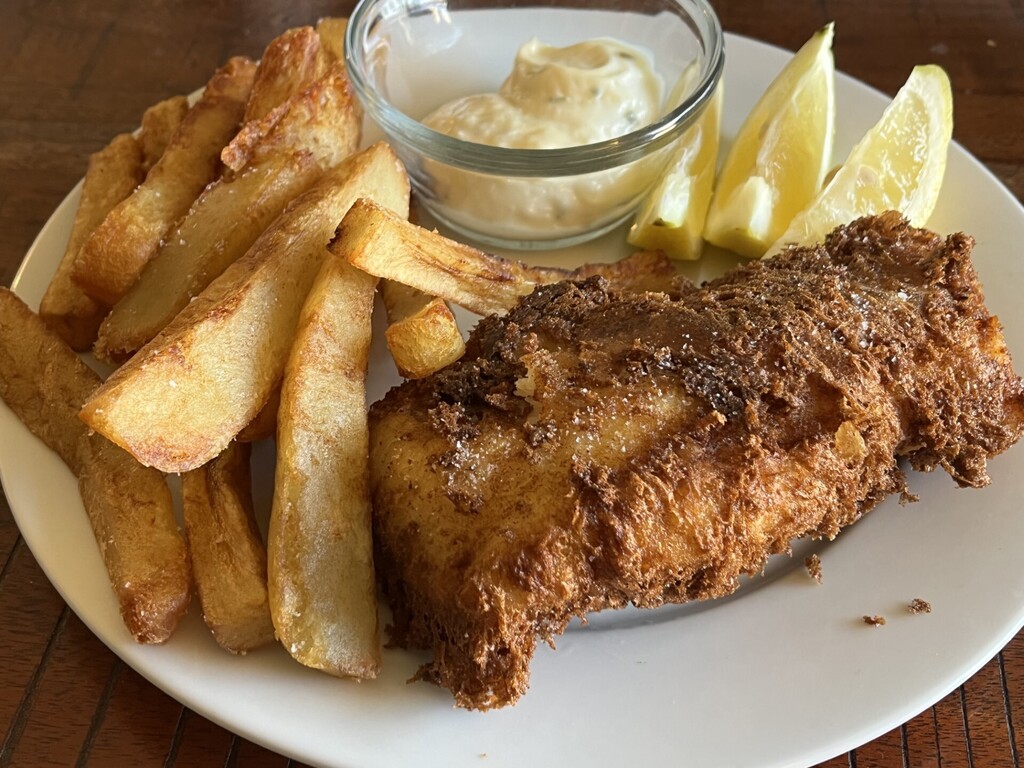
[{"x": 316, "y": 131}]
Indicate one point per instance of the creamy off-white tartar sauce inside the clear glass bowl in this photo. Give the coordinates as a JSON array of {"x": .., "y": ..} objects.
[{"x": 556, "y": 98}]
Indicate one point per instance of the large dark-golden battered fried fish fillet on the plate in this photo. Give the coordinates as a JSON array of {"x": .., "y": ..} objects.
[{"x": 595, "y": 450}]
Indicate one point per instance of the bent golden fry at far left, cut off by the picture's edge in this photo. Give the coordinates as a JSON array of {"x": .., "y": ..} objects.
[{"x": 130, "y": 506}]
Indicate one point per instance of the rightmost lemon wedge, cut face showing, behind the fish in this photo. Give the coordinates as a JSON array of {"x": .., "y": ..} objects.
[{"x": 899, "y": 165}]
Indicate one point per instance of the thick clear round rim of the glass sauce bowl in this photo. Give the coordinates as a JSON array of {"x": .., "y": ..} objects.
[{"x": 571, "y": 161}]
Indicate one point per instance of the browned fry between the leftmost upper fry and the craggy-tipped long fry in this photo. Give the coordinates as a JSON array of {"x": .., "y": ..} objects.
[{"x": 116, "y": 252}]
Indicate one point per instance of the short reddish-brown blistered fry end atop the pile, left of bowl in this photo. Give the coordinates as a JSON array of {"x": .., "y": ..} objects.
[{"x": 291, "y": 63}]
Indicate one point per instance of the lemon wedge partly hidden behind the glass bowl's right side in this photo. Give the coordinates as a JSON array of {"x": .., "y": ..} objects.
[{"x": 672, "y": 218}]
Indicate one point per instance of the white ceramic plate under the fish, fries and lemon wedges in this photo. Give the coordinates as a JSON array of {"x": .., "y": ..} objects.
[{"x": 783, "y": 674}]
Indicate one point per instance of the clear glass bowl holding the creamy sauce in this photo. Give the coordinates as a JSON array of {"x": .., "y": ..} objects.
[{"x": 407, "y": 58}]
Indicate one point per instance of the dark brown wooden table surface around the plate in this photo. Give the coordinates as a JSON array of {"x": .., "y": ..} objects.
[{"x": 74, "y": 73}]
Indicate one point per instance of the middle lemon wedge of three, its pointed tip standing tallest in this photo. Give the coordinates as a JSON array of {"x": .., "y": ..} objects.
[{"x": 781, "y": 155}]
